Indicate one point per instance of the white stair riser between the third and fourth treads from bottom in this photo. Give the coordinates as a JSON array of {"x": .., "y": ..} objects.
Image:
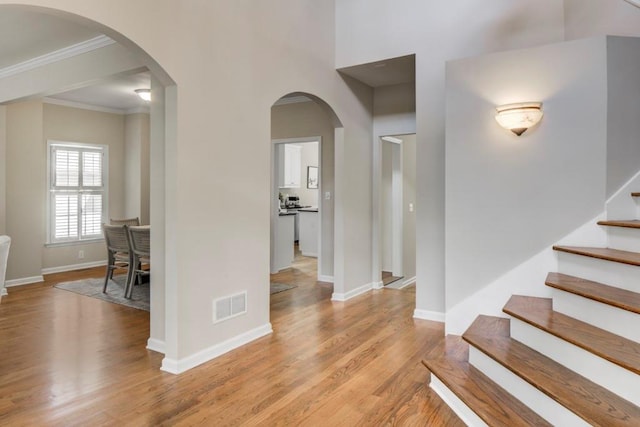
[{"x": 612, "y": 319}]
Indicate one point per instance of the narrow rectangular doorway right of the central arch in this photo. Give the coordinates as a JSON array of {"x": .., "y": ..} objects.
[{"x": 396, "y": 225}]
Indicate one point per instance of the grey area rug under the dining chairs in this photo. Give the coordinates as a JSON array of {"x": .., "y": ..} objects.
[{"x": 115, "y": 291}]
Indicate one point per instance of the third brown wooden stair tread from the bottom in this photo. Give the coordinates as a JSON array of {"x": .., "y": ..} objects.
[{"x": 538, "y": 312}]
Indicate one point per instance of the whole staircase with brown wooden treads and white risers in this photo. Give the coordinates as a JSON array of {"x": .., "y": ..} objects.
[{"x": 570, "y": 360}]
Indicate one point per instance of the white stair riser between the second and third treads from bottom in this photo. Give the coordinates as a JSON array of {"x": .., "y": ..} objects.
[{"x": 616, "y": 379}]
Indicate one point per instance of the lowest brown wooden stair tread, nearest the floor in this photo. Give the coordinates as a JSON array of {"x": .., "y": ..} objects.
[{"x": 493, "y": 404}]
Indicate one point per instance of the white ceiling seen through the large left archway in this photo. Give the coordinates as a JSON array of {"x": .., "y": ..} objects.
[{"x": 25, "y": 35}]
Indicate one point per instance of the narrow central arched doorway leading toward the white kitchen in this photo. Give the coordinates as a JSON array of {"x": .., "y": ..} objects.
[{"x": 298, "y": 121}]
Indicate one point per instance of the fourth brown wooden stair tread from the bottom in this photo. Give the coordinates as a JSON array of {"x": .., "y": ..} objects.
[{"x": 610, "y": 295}]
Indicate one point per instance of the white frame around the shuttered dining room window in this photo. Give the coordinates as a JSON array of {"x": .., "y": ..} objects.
[{"x": 51, "y": 191}]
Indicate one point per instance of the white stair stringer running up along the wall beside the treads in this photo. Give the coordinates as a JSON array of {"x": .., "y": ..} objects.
[{"x": 525, "y": 279}]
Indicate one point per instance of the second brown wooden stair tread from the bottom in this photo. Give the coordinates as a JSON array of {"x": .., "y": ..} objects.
[{"x": 594, "y": 404}]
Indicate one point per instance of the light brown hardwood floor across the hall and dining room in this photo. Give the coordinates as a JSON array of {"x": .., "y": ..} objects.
[{"x": 71, "y": 360}]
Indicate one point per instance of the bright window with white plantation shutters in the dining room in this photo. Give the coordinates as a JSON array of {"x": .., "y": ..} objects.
[{"x": 78, "y": 191}]
